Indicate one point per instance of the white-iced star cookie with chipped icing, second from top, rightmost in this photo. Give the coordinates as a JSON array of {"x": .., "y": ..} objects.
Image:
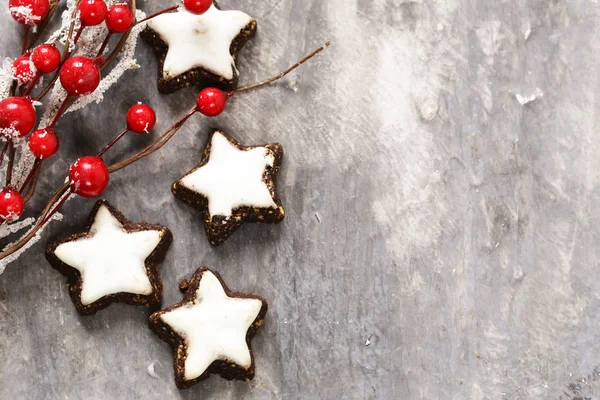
[{"x": 233, "y": 184}]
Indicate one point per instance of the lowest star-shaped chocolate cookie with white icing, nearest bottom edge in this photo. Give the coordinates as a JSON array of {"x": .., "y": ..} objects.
[{"x": 210, "y": 330}]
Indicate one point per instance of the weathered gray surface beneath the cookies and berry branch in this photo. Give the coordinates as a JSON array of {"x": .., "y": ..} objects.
[{"x": 427, "y": 210}]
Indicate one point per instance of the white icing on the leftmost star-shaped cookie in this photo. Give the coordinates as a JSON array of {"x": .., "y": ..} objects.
[{"x": 111, "y": 260}]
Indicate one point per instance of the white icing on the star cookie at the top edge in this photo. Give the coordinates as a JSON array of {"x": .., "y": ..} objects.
[{"x": 199, "y": 40}]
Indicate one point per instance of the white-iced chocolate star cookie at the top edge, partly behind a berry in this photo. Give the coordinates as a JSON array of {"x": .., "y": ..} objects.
[{"x": 198, "y": 49}]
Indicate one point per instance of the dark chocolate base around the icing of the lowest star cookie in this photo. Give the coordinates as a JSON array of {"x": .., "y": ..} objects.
[{"x": 225, "y": 369}]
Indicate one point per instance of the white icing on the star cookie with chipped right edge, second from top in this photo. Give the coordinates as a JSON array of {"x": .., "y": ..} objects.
[{"x": 232, "y": 177}]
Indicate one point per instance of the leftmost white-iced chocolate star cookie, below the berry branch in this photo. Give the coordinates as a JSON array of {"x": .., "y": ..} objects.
[{"x": 113, "y": 260}]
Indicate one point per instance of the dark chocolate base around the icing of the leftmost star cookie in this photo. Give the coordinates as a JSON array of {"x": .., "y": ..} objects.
[{"x": 75, "y": 283}]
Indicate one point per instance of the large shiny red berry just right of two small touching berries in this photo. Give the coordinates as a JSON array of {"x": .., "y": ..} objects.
[{"x": 80, "y": 76}]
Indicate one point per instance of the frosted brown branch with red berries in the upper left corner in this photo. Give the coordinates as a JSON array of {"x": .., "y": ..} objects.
[{"x": 87, "y": 27}]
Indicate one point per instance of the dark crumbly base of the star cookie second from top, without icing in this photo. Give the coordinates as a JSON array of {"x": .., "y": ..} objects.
[{"x": 219, "y": 228}]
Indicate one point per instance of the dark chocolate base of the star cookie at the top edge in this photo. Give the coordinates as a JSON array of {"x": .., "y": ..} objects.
[{"x": 197, "y": 76}]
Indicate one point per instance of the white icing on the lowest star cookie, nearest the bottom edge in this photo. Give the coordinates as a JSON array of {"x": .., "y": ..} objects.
[{"x": 214, "y": 326}]
